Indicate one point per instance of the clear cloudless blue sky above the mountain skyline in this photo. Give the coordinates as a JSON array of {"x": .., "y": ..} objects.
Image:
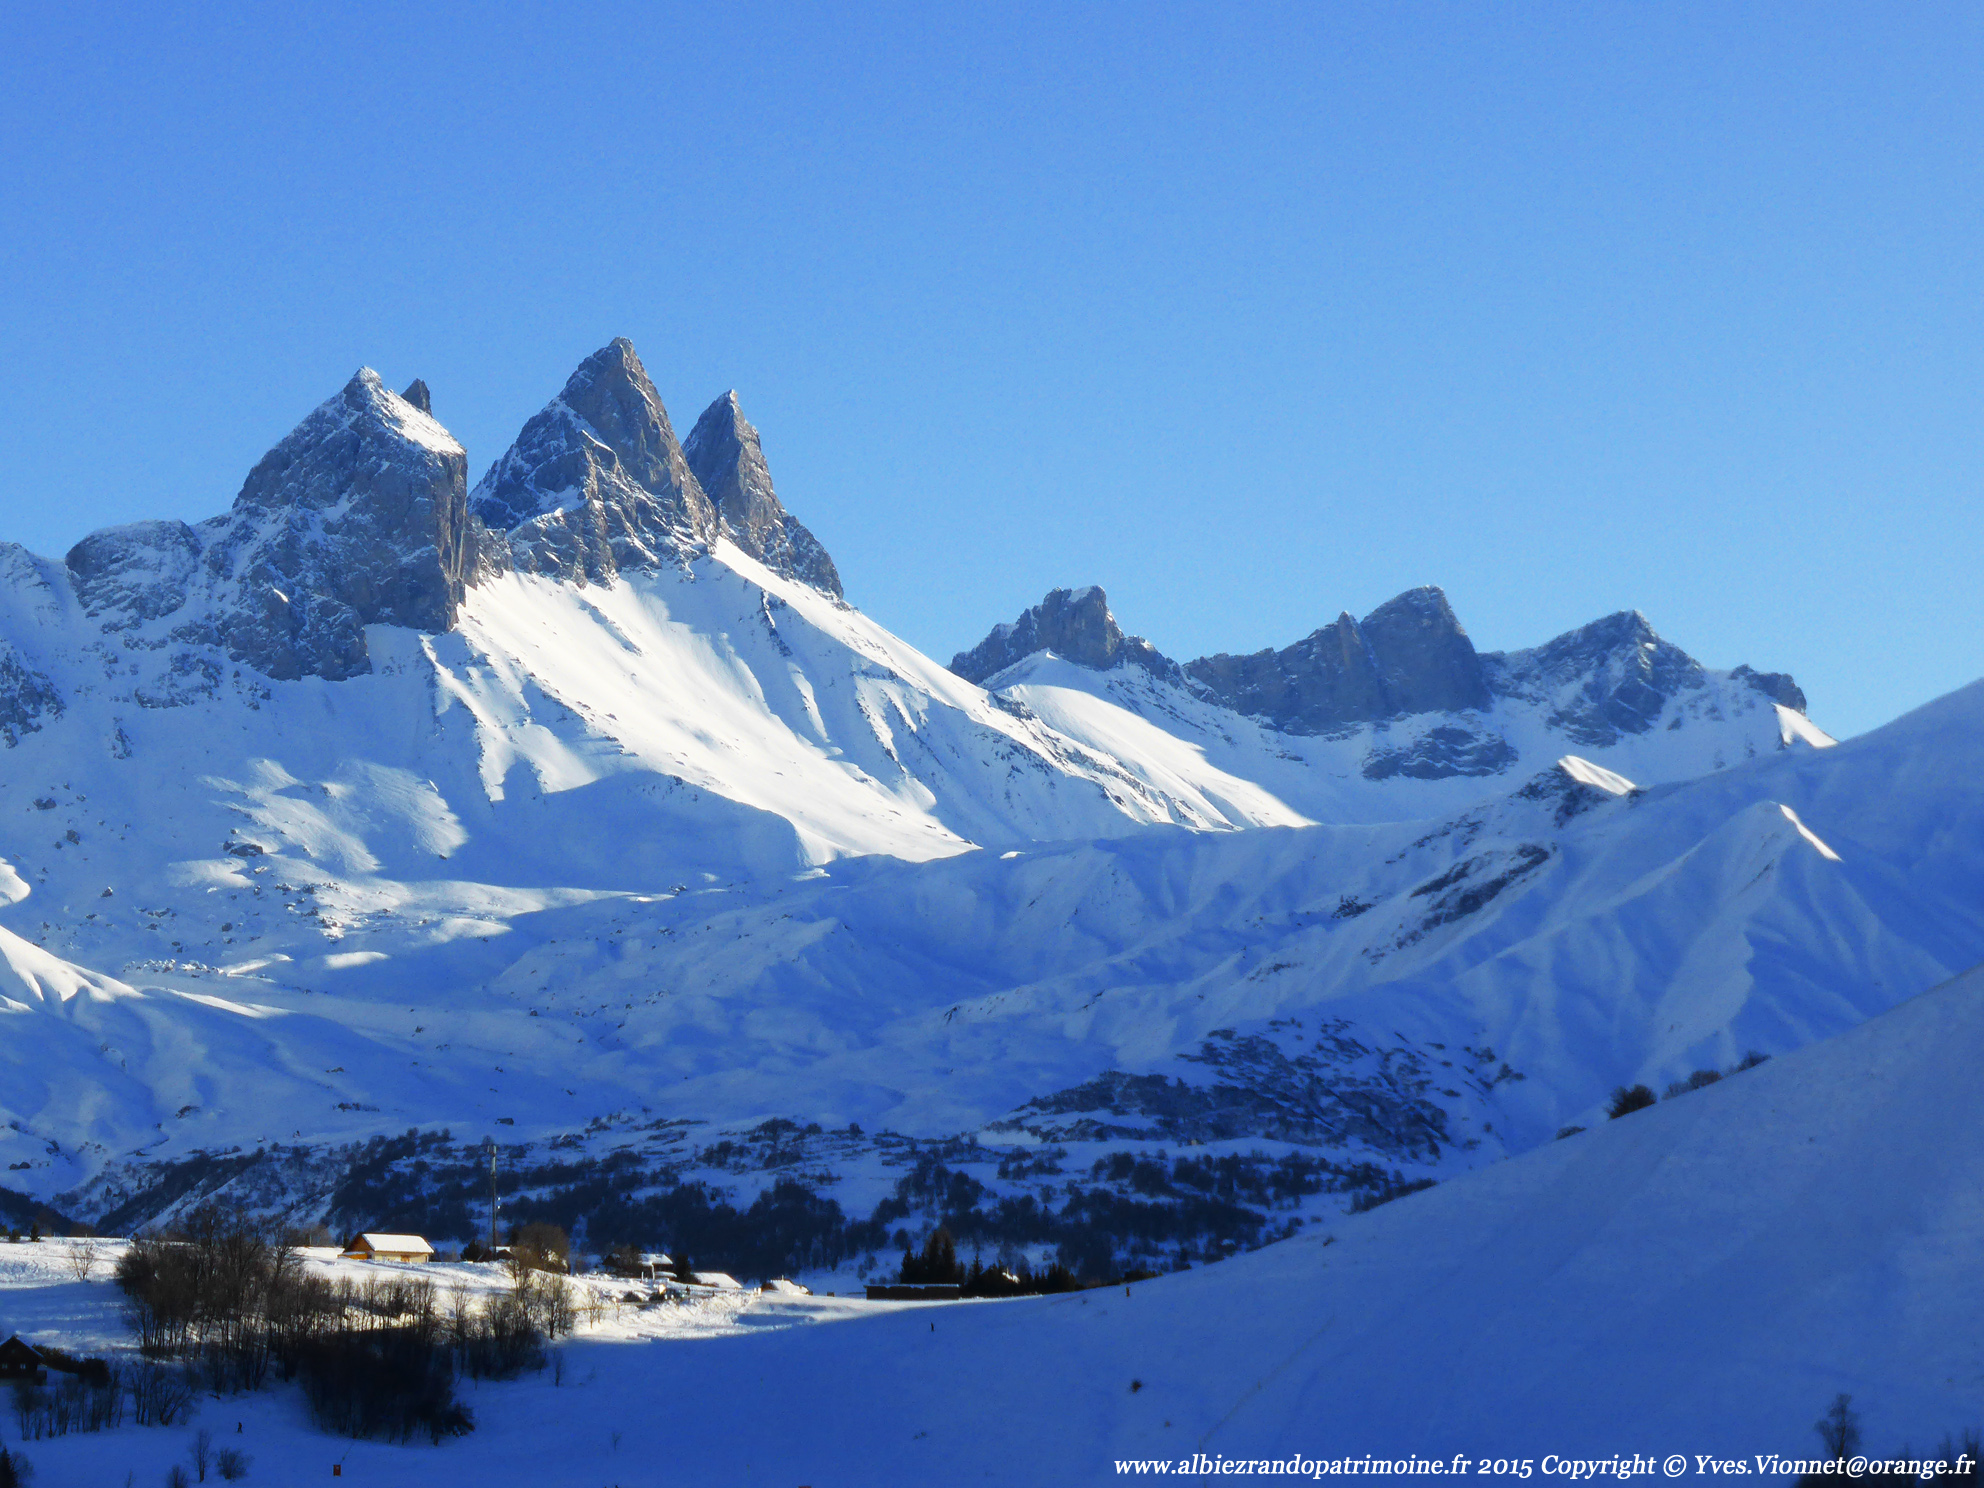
[{"x": 1249, "y": 314}]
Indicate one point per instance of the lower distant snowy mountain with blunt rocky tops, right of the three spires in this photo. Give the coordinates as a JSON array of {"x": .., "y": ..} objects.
[{"x": 1396, "y": 717}]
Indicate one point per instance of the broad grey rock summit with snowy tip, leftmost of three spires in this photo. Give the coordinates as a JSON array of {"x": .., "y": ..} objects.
[{"x": 356, "y": 519}]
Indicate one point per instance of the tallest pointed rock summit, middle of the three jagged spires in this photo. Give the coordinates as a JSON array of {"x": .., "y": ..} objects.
[{"x": 596, "y": 481}]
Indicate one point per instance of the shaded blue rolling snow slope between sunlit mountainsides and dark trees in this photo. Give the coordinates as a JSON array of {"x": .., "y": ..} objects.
[{"x": 1414, "y": 995}]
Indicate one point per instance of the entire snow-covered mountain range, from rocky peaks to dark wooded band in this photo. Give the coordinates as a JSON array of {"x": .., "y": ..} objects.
[{"x": 586, "y": 803}]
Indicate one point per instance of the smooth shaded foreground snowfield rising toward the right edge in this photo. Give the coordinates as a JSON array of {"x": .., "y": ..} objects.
[{"x": 1695, "y": 1279}]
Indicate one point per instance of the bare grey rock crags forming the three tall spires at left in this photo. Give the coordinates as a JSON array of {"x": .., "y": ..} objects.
[{"x": 362, "y": 517}]
